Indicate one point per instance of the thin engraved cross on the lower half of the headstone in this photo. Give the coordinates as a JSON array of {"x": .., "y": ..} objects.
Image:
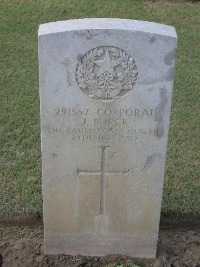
[{"x": 102, "y": 174}]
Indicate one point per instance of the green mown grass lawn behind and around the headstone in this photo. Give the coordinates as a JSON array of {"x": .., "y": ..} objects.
[{"x": 20, "y": 161}]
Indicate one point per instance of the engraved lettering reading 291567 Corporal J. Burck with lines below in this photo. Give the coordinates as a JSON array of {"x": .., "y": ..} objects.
[{"x": 102, "y": 124}]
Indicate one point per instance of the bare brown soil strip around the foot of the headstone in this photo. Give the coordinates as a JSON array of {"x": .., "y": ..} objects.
[{"x": 22, "y": 246}]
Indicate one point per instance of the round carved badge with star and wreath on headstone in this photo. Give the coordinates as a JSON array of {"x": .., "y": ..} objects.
[{"x": 106, "y": 73}]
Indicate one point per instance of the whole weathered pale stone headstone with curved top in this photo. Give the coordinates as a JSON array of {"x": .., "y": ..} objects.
[{"x": 106, "y": 89}]
